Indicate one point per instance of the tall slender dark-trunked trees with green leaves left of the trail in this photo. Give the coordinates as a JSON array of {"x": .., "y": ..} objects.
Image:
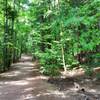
[{"x": 10, "y": 33}]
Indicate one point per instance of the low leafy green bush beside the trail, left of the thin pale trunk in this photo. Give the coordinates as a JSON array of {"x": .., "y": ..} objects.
[{"x": 49, "y": 63}]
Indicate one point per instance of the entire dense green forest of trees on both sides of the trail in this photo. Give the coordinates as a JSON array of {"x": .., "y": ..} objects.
[{"x": 60, "y": 34}]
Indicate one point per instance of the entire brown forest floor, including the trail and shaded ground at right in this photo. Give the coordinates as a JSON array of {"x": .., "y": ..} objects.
[{"x": 24, "y": 82}]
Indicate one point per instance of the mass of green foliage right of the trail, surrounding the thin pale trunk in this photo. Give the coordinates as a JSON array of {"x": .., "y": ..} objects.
[{"x": 73, "y": 27}]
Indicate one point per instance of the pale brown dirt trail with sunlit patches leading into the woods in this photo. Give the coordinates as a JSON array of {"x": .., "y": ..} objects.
[{"x": 24, "y": 82}]
